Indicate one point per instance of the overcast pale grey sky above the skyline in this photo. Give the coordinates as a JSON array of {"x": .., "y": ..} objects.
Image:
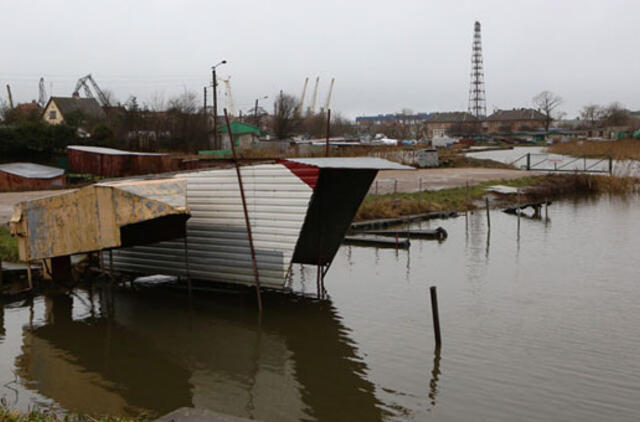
[{"x": 385, "y": 55}]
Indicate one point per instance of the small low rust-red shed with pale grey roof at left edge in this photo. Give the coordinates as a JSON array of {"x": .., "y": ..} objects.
[{"x": 27, "y": 176}]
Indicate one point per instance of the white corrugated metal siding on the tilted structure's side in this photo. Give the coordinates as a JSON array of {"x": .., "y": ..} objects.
[{"x": 277, "y": 202}]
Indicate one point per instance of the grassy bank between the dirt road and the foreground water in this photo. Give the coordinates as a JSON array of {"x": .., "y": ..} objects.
[{"x": 462, "y": 198}]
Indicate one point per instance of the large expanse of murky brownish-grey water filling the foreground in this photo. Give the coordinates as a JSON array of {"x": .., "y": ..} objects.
[{"x": 537, "y": 325}]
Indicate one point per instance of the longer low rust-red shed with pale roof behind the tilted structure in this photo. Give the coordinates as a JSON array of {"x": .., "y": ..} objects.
[{"x": 110, "y": 162}]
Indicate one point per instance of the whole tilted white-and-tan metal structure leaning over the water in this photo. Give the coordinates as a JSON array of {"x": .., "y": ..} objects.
[{"x": 299, "y": 211}]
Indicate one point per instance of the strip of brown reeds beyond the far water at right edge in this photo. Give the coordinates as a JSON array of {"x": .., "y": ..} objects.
[{"x": 626, "y": 149}]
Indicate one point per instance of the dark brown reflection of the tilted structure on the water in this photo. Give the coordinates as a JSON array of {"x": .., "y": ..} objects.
[{"x": 137, "y": 352}]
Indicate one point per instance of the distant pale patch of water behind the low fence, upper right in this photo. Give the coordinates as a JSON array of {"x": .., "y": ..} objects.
[{"x": 542, "y": 161}]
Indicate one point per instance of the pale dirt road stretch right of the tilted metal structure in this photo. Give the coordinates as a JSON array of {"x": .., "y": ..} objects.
[{"x": 389, "y": 181}]
